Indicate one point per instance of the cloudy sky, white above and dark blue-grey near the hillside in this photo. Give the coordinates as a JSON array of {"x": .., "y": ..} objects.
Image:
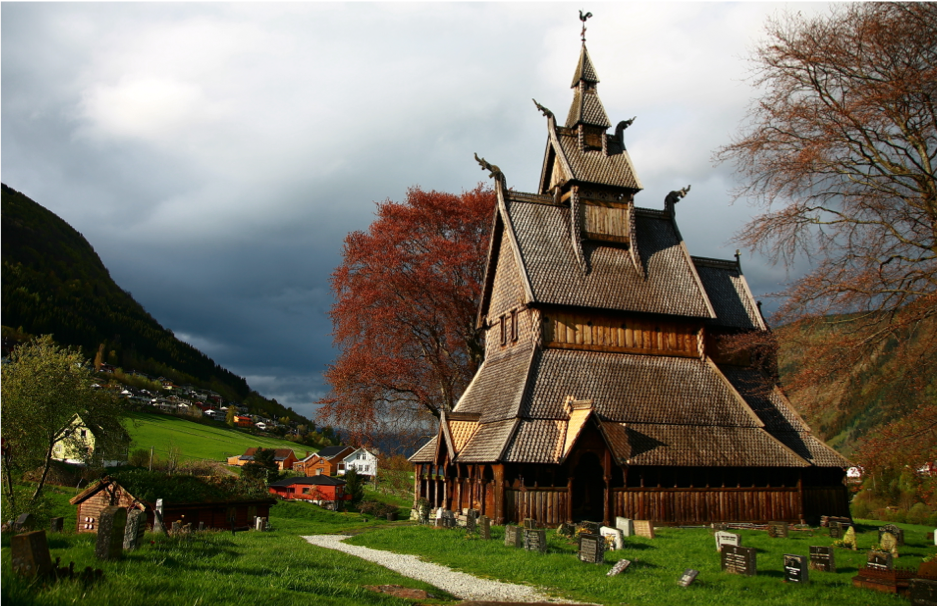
[{"x": 215, "y": 155}]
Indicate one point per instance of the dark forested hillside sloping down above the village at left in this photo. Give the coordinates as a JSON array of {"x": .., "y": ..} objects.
[{"x": 52, "y": 282}]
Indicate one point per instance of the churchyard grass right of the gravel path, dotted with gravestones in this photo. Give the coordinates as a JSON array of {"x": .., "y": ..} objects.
[{"x": 657, "y": 565}]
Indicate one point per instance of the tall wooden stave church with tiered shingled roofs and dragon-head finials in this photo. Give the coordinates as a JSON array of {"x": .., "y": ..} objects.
[{"x": 604, "y": 391}]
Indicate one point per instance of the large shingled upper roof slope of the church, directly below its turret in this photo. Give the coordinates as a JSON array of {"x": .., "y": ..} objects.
[{"x": 549, "y": 260}]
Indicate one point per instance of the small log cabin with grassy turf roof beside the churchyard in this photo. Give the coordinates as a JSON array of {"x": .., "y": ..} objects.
[{"x": 186, "y": 499}]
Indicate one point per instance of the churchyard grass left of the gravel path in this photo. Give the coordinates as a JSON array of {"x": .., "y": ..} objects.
[{"x": 209, "y": 568}]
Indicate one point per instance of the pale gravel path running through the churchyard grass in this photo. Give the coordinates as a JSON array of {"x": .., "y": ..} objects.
[{"x": 459, "y": 584}]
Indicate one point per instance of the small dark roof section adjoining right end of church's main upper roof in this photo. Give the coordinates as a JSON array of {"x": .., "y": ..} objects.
[{"x": 729, "y": 294}]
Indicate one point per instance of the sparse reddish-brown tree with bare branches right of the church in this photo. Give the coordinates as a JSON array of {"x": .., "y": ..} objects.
[{"x": 840, "y": 150}]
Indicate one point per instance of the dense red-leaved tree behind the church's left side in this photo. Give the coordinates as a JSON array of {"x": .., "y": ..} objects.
[{"x": 406, "y": 297}]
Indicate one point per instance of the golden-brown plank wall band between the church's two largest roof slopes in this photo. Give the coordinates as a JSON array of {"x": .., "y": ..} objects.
[{"x": 603, "y": 333}]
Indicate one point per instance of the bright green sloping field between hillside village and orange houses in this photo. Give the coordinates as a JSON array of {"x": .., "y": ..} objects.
[{"x": 214, "y": 441}]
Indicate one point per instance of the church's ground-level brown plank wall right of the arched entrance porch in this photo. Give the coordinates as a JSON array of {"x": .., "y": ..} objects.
[{"x": 705, "y": 505}]
